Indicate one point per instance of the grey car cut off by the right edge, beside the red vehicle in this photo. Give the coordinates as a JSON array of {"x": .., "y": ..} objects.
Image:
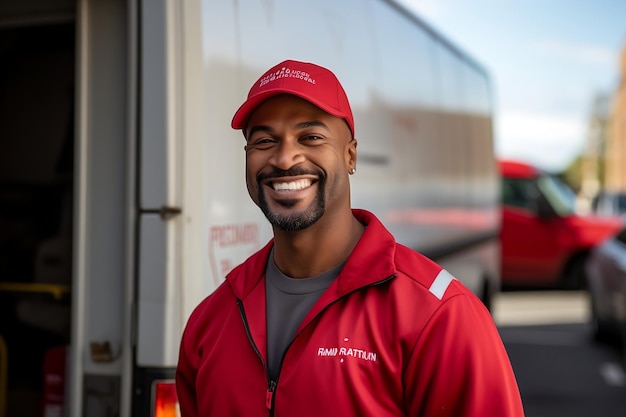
[{"x": 606, "y": 277}]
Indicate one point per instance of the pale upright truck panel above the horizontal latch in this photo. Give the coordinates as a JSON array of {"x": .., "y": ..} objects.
[{"x": 160, "y": 98}]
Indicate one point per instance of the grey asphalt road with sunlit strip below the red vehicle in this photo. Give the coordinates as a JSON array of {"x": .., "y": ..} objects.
[{"x": 561, "y": 372}]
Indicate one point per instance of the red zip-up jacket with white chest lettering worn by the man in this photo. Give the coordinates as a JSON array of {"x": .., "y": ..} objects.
[{"x": 393, "y": 335}]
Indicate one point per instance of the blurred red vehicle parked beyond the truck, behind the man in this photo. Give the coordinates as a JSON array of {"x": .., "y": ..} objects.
[{"x": 544, "y": 242}]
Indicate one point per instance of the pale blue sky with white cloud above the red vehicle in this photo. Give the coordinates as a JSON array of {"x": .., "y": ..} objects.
[{"x": 548, "y": 61}]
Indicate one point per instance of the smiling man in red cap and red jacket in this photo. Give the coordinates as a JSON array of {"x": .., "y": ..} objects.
[{"x": 332, "y": 317}]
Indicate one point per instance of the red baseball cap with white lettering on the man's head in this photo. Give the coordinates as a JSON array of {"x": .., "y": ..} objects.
[{"x": 311, "y": 82}]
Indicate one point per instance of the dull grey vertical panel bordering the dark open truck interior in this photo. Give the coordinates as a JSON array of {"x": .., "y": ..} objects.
[{"x": 102, "y": 183}]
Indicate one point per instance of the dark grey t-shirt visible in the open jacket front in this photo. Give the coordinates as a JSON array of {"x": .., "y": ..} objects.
[{"x": 288, "y": 302}]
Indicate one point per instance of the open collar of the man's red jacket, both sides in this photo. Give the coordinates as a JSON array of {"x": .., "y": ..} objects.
[{"x": 371, "y": 261}]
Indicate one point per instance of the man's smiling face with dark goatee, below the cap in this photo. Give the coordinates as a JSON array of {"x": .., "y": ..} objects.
[{"x": 297, "y": 162}]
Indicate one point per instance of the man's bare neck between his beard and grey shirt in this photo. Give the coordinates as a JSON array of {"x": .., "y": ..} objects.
[{"x": 317, "y": 249}]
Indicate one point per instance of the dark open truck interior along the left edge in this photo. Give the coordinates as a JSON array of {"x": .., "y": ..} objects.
[{"x": 36, "y": 197}]
